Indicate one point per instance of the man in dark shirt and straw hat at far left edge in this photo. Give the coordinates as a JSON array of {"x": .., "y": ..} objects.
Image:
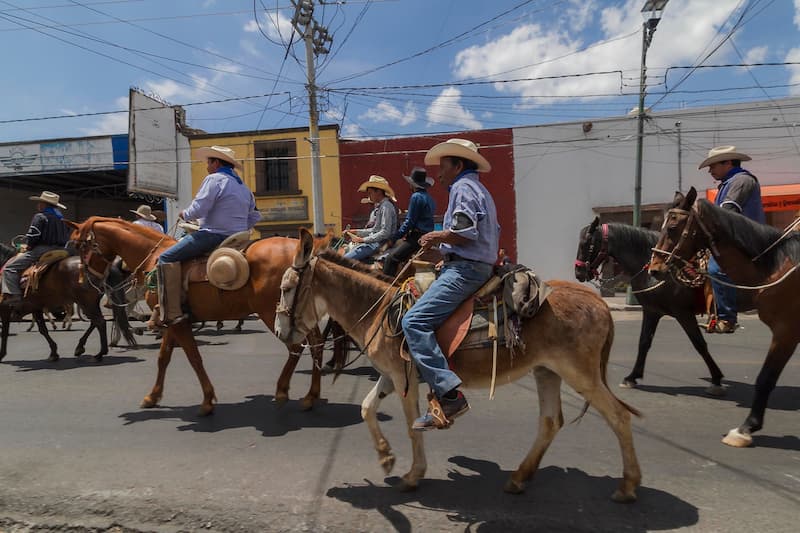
[{"x": 47, "y": 232}]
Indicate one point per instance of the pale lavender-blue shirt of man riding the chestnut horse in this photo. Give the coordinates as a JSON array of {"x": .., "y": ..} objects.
[{"x": 225, "y": 205}]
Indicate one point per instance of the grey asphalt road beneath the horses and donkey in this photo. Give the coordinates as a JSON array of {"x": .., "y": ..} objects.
[{"x": 78, "y": 454}]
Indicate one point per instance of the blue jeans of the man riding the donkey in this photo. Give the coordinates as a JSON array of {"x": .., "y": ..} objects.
[{"x": 458, "y": 281}]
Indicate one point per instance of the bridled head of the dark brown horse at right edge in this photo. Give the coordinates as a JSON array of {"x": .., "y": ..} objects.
[{"x": 680, "y": 238}]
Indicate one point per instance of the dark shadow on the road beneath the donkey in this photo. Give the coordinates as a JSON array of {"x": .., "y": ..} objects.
[{"x": 562, "y": 499}]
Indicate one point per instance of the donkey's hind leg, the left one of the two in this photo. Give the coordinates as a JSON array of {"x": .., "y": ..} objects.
[{"x": 551, "y": 419}]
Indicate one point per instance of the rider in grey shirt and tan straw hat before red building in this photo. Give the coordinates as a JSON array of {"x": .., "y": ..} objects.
[{"x": 372, "y": 237}]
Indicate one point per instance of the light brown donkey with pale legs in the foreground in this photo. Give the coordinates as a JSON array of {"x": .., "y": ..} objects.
[{"x": 570, "y": 338}]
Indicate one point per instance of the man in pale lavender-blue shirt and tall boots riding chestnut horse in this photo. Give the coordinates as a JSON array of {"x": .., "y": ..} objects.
[{"x": 225, "y": 205}]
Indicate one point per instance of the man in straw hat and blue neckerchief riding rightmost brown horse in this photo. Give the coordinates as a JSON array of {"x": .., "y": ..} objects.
[{"x": 738, "y": 191}]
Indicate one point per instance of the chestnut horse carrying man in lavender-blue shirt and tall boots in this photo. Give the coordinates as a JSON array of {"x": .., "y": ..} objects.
[{"x": 101, "y": 239}]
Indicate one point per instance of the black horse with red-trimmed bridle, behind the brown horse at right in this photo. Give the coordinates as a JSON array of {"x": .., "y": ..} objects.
[{"x": 631, "y": 247}]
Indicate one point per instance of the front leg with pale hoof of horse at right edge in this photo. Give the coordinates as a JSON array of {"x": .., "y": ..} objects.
[{"x": 779, "y": 353}]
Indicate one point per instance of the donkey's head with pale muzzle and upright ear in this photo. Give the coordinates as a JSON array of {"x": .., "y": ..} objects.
[{"x": 297, "y": 314}]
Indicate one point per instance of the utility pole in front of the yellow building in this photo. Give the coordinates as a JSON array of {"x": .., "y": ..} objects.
[{"x": 316, "y": 38}]
